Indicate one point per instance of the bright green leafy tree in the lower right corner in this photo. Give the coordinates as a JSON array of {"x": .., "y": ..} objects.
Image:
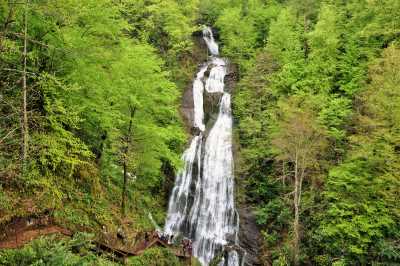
[{"x": 360, "y": 218}]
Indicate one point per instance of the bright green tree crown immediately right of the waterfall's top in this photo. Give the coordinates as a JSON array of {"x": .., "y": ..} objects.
[{"x": 242, "y": 39}]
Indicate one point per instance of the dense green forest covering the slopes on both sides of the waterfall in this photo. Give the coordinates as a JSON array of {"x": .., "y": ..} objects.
[{"x": 92, "y": 131}]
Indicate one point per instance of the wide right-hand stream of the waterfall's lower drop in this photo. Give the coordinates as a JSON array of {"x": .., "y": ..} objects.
[{"x": 216, "y": 217}]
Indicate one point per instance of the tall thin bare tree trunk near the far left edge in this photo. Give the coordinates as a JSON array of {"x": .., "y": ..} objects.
[{"x": 24, "y": 124}]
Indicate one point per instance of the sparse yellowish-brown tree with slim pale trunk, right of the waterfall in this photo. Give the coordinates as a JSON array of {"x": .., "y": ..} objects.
[{"x": 299, "y": 141}]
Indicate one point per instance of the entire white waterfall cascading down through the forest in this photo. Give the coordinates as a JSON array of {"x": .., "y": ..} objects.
[{"x": 201, "y": 205}]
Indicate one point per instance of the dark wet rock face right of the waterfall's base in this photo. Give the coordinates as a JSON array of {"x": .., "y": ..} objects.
[{"x": 249, "y": 236}]
